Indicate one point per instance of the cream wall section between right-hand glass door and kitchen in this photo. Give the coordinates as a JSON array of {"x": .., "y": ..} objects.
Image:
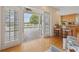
[{"x": 55, "y": 19}]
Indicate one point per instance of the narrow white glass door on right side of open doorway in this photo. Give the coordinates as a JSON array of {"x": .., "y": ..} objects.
[{"x": 46, "y": 24}]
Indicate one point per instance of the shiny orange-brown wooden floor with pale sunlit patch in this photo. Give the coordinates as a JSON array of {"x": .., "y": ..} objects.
[{"x": 39, "y": 45}]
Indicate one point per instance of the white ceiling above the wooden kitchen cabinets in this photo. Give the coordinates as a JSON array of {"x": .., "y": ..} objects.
[{"x": 64, "y": 10}]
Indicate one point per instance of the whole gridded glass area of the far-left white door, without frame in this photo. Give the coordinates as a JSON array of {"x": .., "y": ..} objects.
[{"x": 11, "y": 25}]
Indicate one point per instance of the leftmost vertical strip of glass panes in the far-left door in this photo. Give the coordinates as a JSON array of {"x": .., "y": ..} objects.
[{"x": 7, "y": 29}]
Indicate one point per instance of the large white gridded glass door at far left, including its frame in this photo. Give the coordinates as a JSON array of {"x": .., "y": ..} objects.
[{"x": 10, "y": 28}]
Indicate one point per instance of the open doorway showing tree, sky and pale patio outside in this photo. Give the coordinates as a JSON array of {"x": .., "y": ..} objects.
[{"x": 32, "y": 26}]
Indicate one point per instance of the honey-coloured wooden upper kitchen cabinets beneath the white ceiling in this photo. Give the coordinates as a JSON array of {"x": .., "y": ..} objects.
[{"x": 70, "y": 19}]
